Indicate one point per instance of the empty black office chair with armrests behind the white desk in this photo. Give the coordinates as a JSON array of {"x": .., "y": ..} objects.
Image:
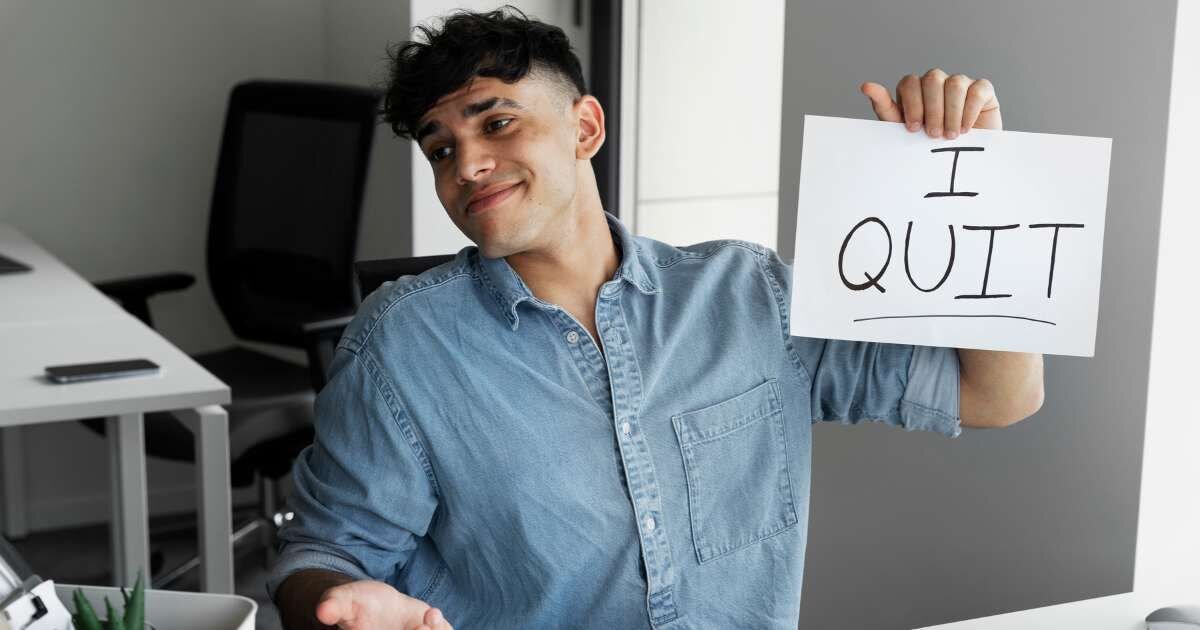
[{"x": 281, "y": 242}]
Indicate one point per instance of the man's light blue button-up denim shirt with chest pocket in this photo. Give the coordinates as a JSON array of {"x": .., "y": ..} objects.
[{"x": 477, "y": 451}]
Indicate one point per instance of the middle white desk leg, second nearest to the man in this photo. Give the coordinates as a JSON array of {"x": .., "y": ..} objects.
[{"x": 131, "y": 542}]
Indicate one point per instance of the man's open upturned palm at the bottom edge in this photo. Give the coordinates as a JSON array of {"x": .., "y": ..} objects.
[{"x": 370, "y": 605}]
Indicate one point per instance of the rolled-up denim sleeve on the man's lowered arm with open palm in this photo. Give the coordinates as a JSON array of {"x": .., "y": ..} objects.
[{"x": 364, "y": 490}]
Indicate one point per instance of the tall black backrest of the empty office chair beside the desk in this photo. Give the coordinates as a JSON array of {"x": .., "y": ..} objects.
[{"x": 286, "y": 206}]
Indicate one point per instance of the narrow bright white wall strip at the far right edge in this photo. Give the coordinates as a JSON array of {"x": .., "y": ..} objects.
[{"x": 1169, "y": 515}]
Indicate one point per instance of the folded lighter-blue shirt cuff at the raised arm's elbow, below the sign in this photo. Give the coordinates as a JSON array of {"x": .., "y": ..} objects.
[{"x": 931, "y": 400}]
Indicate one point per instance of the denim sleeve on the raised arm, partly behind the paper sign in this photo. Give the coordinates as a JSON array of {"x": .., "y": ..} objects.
[{"x": 910, "y": 387}]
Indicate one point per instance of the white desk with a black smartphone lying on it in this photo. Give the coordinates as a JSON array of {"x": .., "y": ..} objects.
[{"x": 52, "y": 316}]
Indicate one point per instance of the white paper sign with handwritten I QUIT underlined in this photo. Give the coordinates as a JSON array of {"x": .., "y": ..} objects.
[{"x": 992, "y": 241}]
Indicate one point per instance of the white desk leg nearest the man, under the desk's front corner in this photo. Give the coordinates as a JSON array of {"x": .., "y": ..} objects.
[{"x": 211, "y": 425}]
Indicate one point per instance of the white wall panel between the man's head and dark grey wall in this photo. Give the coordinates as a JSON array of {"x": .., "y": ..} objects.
[{"x": 710, "y": 97}]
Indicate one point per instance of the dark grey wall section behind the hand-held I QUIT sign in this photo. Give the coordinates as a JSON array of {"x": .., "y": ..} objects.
[{"x": 911, "y": 530}]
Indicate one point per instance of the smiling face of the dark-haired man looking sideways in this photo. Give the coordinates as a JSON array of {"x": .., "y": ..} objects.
[{"x": 505, "y": 161}]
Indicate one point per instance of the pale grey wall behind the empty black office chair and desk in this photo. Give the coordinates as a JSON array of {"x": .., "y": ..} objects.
[{"x": 111, "y": 121}]
